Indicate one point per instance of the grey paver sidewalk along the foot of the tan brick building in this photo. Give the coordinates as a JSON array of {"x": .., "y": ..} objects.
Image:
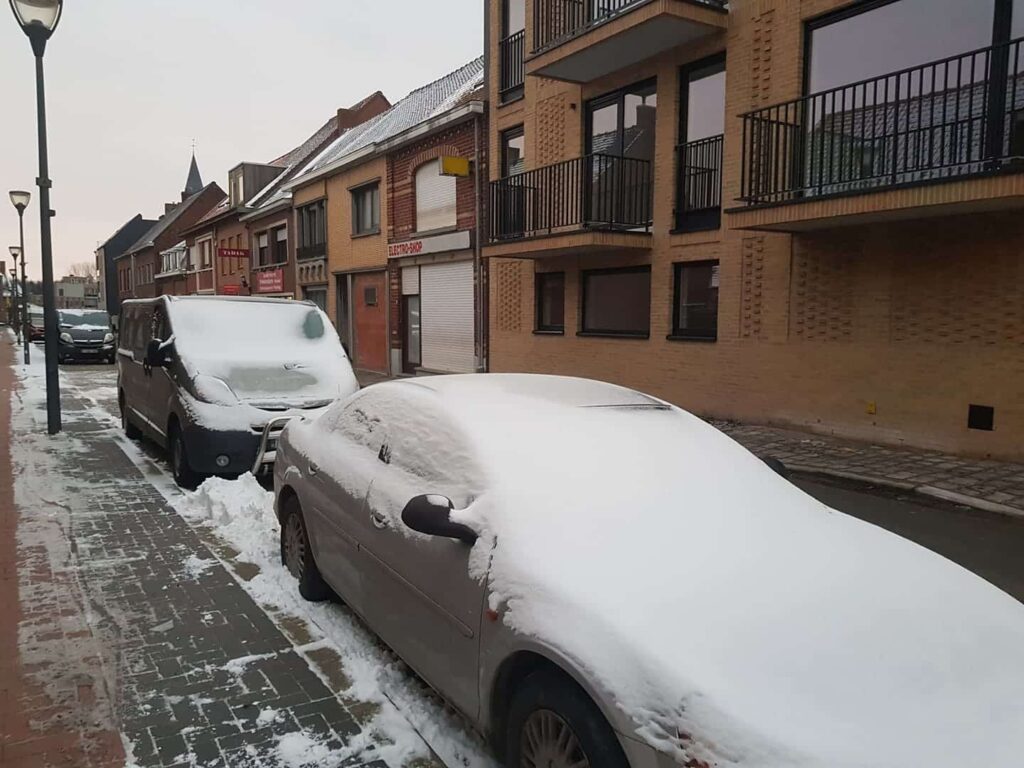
[{"x": 993, "y": 486}]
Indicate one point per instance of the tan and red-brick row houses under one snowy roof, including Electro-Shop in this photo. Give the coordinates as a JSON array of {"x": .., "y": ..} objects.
[{"x": 388, "y": 218}]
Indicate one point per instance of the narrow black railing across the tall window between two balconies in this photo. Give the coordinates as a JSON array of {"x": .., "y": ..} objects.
[{"x": 699, "y": 196}]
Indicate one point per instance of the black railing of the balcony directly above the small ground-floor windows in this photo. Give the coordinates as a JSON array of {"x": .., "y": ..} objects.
[{"x": 595, "y": 192}]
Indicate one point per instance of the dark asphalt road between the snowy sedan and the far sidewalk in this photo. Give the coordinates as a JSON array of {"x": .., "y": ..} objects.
[{"x": 991, "y": 545}]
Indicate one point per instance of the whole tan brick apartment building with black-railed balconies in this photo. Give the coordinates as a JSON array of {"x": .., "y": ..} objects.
[{"x": 801, "y": 212}]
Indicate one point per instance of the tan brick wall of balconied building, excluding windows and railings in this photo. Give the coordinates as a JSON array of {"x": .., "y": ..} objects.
[{"x": 883, "y": 331}]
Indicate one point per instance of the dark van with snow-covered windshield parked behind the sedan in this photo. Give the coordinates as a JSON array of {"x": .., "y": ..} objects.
[{"x": 215, "y": 379}]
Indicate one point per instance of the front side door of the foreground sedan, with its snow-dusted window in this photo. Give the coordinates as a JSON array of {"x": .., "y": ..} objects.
[{"x": 420, "y": 598}]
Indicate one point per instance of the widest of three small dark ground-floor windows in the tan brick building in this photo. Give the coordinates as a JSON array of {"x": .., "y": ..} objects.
[{"x": 617, "y": 303}]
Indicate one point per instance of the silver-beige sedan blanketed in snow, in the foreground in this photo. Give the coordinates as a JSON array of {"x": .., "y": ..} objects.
[{"x": 595, "y": 578}]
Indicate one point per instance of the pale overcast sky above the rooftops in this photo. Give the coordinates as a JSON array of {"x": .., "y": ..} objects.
[{"x": 132, "y": 84}]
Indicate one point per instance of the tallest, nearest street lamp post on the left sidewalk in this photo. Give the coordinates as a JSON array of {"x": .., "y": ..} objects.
[{"x": 38, "y": 20}]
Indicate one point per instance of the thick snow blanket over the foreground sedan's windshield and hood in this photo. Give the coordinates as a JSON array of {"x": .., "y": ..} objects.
[{"x": 733, "y": 618}]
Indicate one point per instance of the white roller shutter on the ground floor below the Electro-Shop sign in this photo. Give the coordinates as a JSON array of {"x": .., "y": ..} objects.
[{"x": 447, "y": 307}]
